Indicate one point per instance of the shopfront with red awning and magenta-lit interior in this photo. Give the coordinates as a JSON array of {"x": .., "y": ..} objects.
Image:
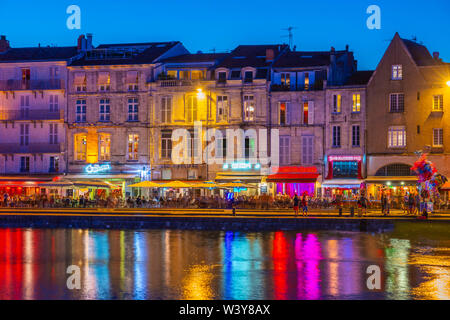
[{"x": 294, "y": 180}]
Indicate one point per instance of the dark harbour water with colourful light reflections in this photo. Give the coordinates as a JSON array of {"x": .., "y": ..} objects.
[{"x": 176, "y": 264}]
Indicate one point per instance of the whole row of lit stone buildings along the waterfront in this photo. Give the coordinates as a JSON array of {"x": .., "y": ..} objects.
[{"x": 108, "y": 112}]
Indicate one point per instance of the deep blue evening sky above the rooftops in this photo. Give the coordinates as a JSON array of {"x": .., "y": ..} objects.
[{"x": 207, "y": 24}]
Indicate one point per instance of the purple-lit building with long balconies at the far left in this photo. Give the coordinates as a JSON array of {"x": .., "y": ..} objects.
[{"x": 32, "y": 110}]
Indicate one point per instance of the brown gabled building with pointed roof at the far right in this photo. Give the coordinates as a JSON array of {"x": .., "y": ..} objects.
[{"x": 407, "y": 113}]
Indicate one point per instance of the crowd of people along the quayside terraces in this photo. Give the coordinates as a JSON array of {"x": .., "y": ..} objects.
[{"x": 411, "y": 202}]
